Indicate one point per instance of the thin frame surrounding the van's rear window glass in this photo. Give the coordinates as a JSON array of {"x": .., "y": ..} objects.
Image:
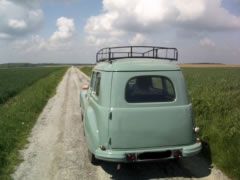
[{"x": 151, "y": 102}]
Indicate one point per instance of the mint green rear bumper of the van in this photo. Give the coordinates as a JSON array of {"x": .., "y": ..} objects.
[{"x": 120, "y": 155}]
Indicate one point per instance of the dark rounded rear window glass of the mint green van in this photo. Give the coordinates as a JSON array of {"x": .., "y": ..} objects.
[{"x": 142, "y": 89}]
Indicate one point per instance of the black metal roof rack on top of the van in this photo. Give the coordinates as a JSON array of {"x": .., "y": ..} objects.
[{"x": 114, "y": 53}]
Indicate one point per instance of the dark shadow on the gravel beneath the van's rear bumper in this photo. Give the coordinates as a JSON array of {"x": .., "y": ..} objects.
[{"x": 193, "y": 167}]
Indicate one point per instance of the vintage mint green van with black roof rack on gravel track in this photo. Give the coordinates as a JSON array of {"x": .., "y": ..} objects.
[{"x": 136, "y": 107}]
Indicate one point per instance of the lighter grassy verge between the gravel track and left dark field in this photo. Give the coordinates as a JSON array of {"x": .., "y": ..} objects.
[{"x": 18, "y": 116}]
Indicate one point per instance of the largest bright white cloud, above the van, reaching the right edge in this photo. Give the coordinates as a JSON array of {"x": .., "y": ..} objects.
[{"x": 121, "y": 18}]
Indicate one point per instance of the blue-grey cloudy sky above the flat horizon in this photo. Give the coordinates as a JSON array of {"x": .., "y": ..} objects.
[{"x": 71, "y": 31}]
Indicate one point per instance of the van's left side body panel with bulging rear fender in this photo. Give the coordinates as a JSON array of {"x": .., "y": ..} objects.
[{"x": 95, "y": 113}]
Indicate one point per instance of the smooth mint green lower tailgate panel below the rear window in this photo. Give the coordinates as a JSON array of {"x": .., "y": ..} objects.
[{"x": 151, "y": 127}]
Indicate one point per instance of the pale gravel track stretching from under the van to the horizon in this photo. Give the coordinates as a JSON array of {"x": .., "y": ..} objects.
[{"x": 57, "y": 148}]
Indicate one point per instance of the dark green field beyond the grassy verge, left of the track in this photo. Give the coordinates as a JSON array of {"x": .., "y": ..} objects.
[{"x": 13, "y": 80}]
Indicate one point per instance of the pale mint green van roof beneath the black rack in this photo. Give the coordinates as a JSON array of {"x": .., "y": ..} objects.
[{"x": 137, "y": 64}]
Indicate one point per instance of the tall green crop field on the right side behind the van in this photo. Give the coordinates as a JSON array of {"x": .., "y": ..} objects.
[{"x": 215, "y": 94}]
